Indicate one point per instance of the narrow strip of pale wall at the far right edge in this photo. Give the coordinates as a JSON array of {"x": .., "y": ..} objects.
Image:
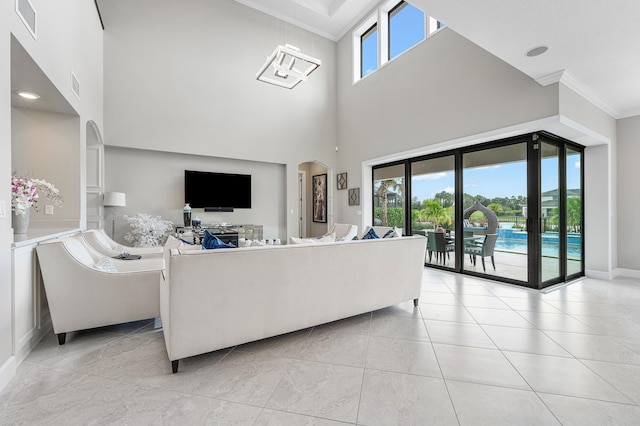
[{"x": 627, "y": 194}]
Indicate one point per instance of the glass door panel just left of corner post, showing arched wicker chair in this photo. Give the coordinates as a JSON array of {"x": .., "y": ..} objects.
[{"x": 494, "y": 212}]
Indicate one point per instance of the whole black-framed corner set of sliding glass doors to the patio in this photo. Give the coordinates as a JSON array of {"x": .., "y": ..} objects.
[{"x": 509, "y": 210}]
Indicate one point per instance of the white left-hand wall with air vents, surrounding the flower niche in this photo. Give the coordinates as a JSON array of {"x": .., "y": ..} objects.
[{"x": 69, "y": 39}]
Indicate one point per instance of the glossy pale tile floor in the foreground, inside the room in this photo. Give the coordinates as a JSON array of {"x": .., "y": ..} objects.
[{"x": 472, "y": 353}]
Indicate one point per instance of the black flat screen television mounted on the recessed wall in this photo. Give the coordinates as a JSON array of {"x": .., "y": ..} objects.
[{"x": 217, "y": 190}]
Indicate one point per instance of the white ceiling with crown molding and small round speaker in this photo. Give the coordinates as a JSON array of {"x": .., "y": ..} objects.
[{"x": 593, "y": 44}]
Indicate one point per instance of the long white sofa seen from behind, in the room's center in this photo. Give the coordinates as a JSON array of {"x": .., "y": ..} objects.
[{"x": 214, "y": 299}]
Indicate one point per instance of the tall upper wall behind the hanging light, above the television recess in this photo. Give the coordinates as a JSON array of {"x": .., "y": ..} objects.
[{"x": 182, "y": 79}]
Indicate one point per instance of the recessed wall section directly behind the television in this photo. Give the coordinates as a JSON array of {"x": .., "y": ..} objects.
[{"x": 153, "y": 182}]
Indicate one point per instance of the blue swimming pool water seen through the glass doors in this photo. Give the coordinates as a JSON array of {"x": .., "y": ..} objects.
[{"x": 516, "y": 241}]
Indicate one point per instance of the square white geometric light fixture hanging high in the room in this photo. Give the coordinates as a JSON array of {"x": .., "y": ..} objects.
[{"x": 287, "y": 66}]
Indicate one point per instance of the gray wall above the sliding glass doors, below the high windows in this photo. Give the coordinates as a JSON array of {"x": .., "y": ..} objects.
[{"x": 443, "y": 89}]
